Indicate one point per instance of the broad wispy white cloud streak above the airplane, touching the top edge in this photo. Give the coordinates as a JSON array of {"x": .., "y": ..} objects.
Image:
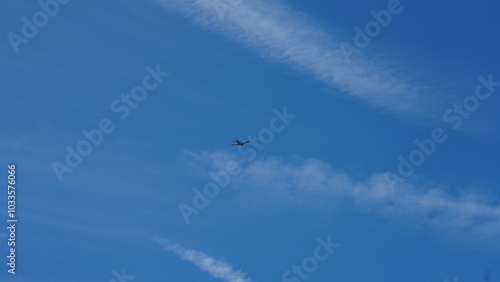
[{"x": 282, "y": 33}]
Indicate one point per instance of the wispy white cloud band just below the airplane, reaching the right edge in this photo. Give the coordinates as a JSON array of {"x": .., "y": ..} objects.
[{"x": 456, "y": 212}]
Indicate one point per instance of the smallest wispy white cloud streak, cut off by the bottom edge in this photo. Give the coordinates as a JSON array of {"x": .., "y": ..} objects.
[{"x": 214, "y": 267}]
